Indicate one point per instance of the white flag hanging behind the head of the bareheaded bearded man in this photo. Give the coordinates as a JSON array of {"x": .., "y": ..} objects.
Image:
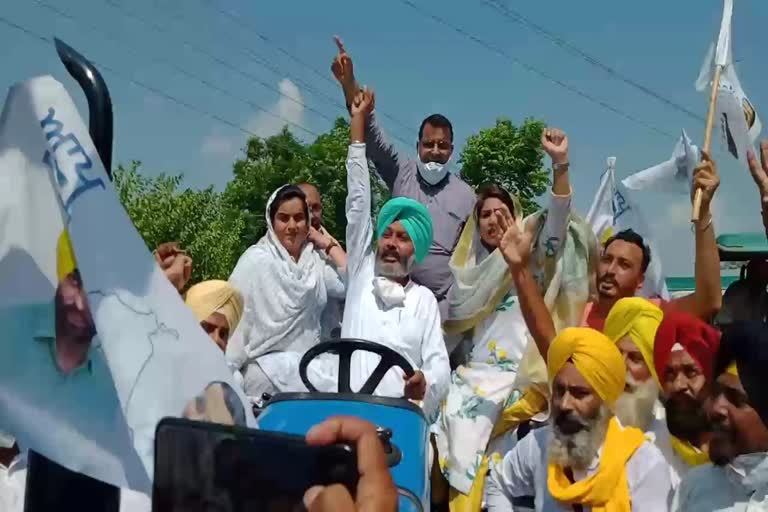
[{"x": 612, "y": 211}]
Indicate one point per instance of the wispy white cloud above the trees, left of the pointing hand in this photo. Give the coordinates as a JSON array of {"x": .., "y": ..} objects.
[{"x": 289, "y": 108}]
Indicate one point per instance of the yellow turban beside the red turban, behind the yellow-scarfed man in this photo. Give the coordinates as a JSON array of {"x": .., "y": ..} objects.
[{"x": 639, "y": 319}]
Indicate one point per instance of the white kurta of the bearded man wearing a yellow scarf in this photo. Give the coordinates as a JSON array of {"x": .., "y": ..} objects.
[{"x": 523, "y": 473}]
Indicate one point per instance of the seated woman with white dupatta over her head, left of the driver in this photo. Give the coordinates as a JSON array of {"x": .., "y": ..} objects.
[{"x": 285, "y": 285}]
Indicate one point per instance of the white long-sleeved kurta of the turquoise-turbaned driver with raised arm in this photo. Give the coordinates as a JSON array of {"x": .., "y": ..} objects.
[{"x": 412, "y": 329}]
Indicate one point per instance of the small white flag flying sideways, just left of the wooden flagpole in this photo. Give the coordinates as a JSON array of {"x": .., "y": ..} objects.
[{"x": 673, "y": 175}]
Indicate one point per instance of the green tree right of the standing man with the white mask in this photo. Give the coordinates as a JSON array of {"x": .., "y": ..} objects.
[{"x": 509, "y": 156}]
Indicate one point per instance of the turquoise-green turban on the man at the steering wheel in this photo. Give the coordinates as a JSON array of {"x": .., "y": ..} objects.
[{"x": 415, "y": 219}]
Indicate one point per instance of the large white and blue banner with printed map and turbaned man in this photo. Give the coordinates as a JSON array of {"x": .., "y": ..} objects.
[{"x": 98, "y": 346}]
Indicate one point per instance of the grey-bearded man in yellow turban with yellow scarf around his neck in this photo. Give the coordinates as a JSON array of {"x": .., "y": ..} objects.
[{"x": 585, "y": 460}]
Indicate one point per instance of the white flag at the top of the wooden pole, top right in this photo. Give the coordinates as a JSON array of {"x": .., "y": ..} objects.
[{"x": 740, "y": 125}]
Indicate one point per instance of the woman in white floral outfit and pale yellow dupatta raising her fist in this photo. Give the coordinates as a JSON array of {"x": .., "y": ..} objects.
[{"x": 484, "y": 309}]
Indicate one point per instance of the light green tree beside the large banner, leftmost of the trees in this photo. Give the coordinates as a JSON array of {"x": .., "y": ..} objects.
[{"x": 198, "y": 219}]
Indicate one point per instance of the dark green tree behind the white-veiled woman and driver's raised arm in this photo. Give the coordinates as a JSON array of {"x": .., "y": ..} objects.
[{"x": 272, "y": 162}]
